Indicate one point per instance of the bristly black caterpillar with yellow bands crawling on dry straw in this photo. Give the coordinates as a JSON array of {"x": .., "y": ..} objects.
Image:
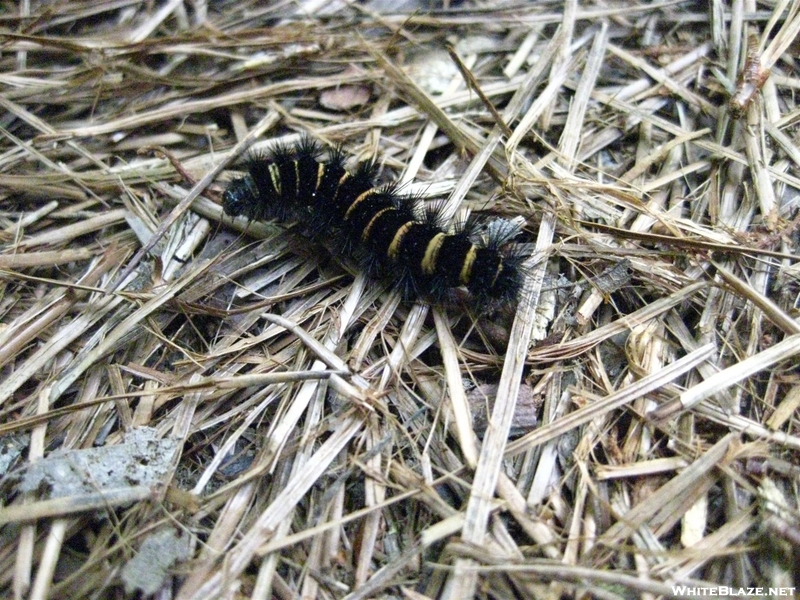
[{"x": 387, "y": 232}]
